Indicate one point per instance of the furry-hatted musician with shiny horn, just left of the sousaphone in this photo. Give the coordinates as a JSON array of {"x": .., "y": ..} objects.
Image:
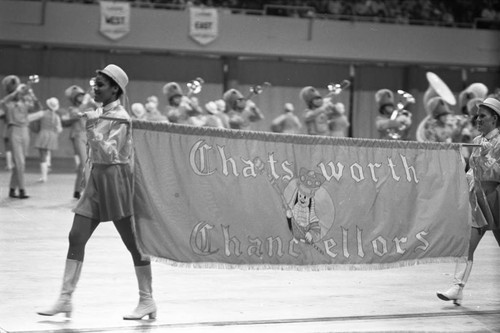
[{"x": 390, "y": 123}]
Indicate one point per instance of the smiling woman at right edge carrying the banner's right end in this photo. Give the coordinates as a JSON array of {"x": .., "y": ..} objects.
[{"x": 484, "y": 183}]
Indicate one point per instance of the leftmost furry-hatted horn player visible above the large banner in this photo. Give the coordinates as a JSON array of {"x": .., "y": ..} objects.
[{"x": 180, "y": 108}]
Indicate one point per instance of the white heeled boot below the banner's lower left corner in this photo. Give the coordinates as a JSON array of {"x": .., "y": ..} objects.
[{"x": 146, "y": 306}]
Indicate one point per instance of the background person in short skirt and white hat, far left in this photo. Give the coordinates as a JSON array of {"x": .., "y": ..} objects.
[{"x": 47, "y": 138}]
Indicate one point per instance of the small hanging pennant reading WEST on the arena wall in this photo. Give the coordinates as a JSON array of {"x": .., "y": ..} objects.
[{"x": 115, "y": 19}]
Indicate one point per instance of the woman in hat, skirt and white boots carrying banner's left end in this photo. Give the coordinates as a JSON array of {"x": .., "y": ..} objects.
[{"x": 108, "y": 194}]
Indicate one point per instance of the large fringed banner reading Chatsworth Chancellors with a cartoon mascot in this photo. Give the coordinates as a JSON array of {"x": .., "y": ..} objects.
[{"x": 221, "y": 198}]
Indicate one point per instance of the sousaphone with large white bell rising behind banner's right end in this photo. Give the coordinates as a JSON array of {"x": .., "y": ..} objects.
[{"x": 437, "y": 88}]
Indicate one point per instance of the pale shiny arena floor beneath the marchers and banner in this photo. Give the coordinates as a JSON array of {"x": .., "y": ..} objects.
[{"x": 33, "y": 244}]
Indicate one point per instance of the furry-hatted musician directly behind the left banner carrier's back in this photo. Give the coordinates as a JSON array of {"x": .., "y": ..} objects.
[{"x": 80, "y": 101}]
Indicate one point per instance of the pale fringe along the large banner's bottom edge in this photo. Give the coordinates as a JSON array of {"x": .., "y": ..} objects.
[{"x": 326, "y": 267}]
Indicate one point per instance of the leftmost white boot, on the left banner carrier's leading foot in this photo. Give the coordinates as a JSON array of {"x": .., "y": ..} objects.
[{"x": 64, "y": 305}]
